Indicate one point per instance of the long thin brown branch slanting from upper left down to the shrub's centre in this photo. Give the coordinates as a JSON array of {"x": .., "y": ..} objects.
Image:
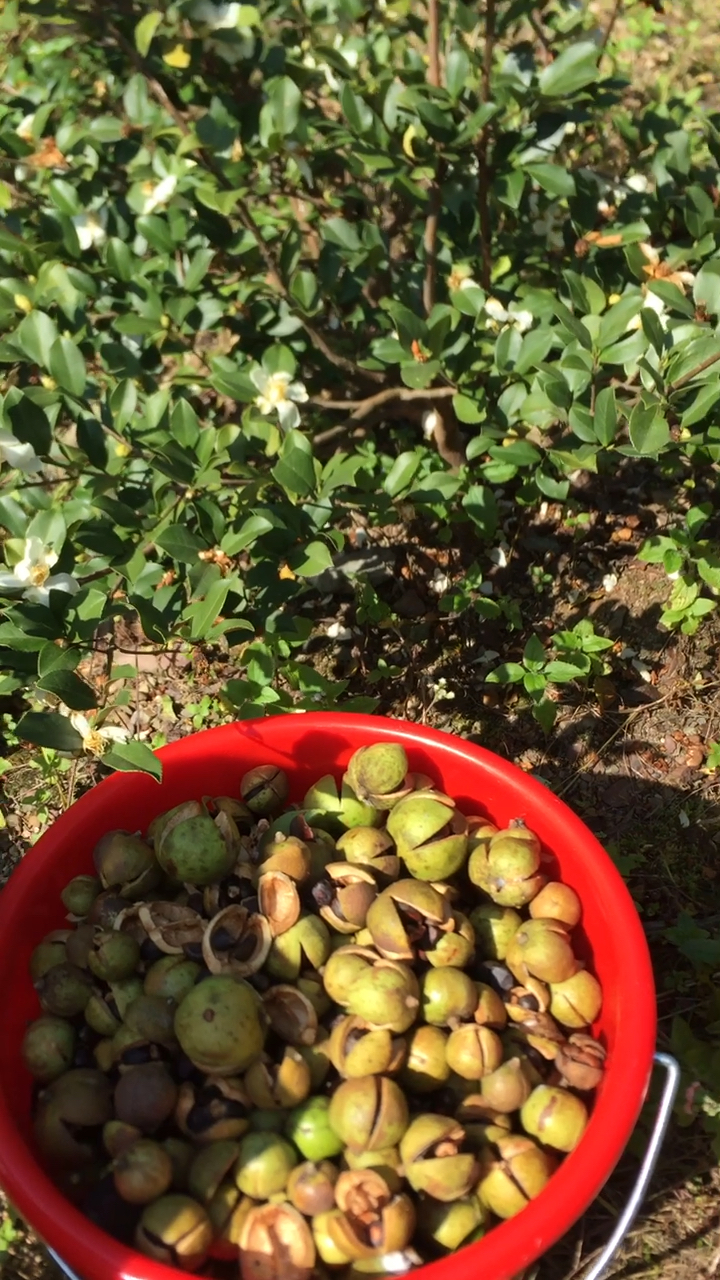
[{"x": 244, "y": 213}]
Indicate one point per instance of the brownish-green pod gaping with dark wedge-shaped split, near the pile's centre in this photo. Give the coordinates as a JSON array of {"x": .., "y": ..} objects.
[{"x": 408, "y": 917}]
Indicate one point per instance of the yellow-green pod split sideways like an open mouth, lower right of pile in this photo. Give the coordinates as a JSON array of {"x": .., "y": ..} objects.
[{"x": 435, "y": 1160}]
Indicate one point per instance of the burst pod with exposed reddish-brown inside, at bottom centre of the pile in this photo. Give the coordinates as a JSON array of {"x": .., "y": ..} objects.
[{"x": 372, "y": 1222}]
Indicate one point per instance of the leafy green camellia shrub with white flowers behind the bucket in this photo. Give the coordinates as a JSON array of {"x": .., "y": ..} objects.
[{"x": 235, "y": 235}]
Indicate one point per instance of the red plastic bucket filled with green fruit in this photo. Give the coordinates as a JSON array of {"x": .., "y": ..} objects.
[{"x": 308, "y": 747}]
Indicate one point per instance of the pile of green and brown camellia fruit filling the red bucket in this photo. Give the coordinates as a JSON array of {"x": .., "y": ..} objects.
[{"x": 341, "y": 1039}]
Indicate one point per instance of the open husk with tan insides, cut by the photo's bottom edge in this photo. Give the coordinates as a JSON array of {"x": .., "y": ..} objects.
[{"x": 276, "y": 1244}]
